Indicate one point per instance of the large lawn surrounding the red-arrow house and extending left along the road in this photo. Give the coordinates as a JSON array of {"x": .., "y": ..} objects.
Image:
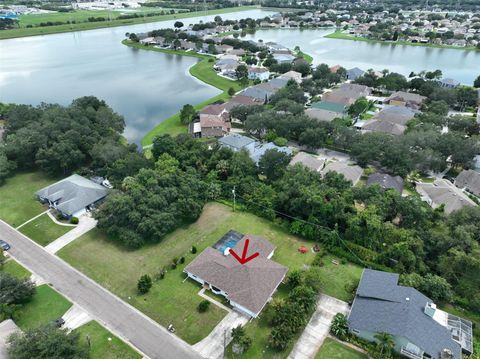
[{"x": 171, "y": 300}]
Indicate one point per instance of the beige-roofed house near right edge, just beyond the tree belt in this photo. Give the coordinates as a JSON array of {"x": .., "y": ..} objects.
[{"x": 442, "y": 192}]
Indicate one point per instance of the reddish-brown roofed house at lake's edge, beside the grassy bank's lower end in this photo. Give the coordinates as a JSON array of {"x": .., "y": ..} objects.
[{"x": 214, "y": 121}]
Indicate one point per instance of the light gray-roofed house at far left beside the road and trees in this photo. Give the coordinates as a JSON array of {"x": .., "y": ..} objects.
[{"x": 72, "y": 196}]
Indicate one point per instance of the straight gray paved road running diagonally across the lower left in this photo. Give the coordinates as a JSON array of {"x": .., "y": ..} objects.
[{"x": 119, "y": 317}]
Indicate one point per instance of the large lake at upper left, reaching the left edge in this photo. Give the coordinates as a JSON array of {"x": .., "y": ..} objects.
[{"x": 144, "y": 86}]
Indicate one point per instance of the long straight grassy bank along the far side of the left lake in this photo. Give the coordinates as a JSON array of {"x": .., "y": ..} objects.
[{"x": 85, "y": 26}]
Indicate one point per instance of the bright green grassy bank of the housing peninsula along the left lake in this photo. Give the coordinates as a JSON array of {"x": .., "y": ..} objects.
[{"x": 202, "y": 70}]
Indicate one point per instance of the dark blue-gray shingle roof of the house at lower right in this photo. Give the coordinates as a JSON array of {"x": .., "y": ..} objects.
[{"x": 381, "y": 305}]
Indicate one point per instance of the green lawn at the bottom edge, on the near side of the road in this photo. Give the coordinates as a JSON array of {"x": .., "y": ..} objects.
[{"x": 100, "y": 345}]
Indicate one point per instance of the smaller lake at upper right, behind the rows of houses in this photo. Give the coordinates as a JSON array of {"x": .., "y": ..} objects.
[{"x": 461, "y": 65}]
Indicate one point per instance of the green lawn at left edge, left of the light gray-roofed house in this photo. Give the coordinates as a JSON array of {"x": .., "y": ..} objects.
[{"x": 17, "y": 197}]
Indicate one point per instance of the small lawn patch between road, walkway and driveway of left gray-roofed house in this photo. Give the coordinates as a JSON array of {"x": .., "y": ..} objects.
[{"x": 43, "y": 230}]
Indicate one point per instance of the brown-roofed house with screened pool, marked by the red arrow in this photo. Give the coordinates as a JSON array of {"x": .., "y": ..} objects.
[{"x": 248, "y": 287}]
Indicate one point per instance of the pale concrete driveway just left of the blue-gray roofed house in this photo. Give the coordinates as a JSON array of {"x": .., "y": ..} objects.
[{"x": 318, "y": 327}]
